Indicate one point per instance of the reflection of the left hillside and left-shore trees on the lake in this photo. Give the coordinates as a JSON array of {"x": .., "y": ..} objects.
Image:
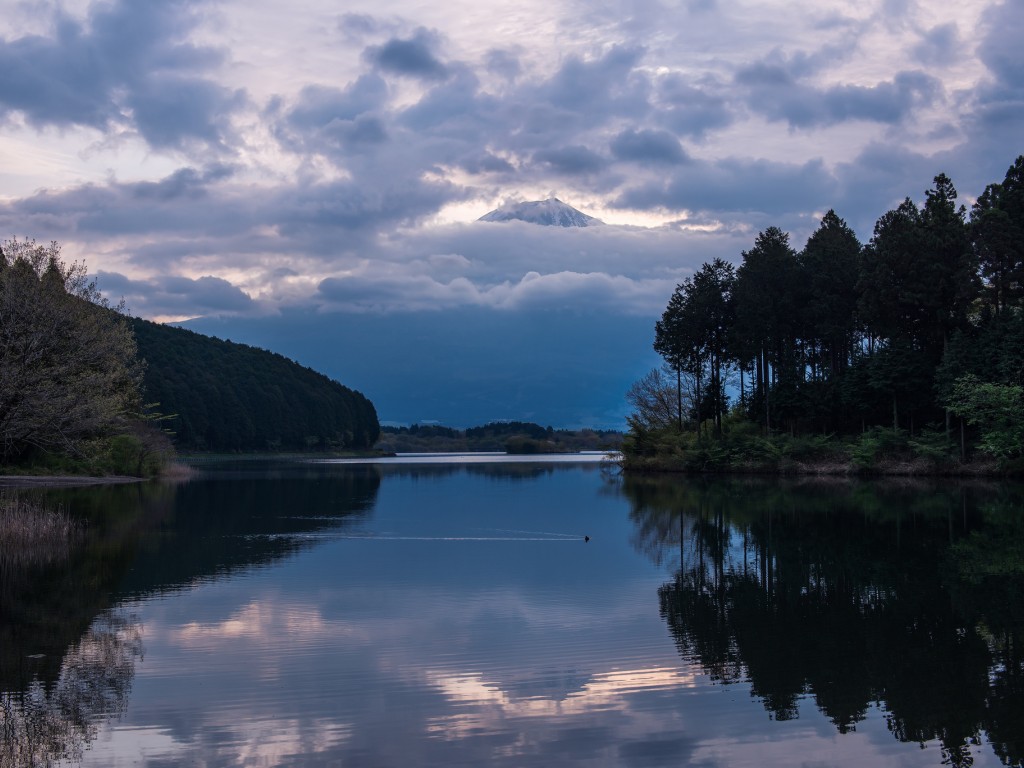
[{"x": 68, "y": 658}]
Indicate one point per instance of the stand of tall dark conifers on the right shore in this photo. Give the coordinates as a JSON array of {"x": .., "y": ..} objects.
[{"x": 921, "y": 329}]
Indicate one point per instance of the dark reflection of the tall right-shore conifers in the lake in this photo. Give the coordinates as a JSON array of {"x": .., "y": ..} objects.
[{"x": 895, "y": 594}]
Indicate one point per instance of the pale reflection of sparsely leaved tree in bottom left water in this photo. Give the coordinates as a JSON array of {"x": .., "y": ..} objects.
[{"x": 53, "y": 721}]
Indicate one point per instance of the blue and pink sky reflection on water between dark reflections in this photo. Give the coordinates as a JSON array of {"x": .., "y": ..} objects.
[{"x": 446, "y": 653}]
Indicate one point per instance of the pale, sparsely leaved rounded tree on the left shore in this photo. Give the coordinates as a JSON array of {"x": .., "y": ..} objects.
[{"x": 69, "y": 373}]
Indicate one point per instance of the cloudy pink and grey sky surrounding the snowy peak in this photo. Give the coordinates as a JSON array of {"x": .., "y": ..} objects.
[{"x": 243, "y": 162}]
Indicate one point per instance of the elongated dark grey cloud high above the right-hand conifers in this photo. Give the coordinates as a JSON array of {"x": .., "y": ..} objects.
[{"x": 775, "y": 91}]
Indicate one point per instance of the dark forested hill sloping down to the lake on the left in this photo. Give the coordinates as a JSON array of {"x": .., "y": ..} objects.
[{"x": 228, "y": 397}]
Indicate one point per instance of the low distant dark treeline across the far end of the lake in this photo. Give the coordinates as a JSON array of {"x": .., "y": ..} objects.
[{"x": 513, "y": 437}]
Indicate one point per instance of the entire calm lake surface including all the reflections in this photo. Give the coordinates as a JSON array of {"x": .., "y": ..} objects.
[{"x": 441, "y": 612}]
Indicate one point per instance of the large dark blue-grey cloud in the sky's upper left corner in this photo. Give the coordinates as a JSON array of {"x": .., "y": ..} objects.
[{"x": 127, "y": 65}]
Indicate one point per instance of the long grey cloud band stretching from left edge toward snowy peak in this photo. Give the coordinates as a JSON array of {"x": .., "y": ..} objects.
[{"x": 199, "y": 212}]
